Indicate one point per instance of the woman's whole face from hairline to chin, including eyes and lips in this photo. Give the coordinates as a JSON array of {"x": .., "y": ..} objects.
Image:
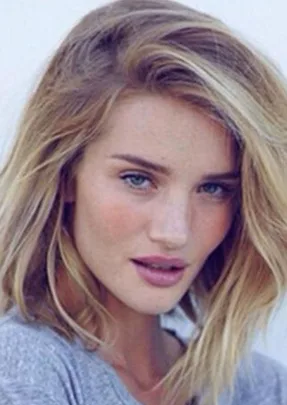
[{"x": 153, "y": 199}]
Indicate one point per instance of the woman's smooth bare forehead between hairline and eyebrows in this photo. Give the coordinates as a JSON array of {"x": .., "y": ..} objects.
[{"x": 167, "y": 130}]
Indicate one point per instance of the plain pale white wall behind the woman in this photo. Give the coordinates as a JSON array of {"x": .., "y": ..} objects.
[{"x": 31, "y": 29}]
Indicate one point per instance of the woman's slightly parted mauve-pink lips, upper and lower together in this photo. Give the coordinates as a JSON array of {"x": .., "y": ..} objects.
[{"x": 160, "y": 272}]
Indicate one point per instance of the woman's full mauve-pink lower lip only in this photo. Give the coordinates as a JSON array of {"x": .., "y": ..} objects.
[{"x": 159, "y": 278}]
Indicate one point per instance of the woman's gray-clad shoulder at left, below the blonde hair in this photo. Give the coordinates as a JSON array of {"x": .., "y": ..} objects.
[{"x": 37, "y": 364}]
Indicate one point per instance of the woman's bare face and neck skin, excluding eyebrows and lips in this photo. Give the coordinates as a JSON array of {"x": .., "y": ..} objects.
[{"x": 124, "y": 211}]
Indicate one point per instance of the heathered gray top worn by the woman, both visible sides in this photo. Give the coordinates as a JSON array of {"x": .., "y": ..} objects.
[{"x": 39, "y": 367}]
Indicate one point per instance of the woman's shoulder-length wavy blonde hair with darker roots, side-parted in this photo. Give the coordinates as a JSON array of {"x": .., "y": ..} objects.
[{"x": 156, "y": 47}]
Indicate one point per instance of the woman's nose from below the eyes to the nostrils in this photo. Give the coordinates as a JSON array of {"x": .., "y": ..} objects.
[{"x": 170, "y": 223}]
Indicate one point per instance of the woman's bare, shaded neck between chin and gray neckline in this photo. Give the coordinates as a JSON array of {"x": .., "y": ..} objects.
[{"x": 142, "y": 350}]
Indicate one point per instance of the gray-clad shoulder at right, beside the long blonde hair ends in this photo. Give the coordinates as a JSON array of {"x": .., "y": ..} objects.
[{"x": 260, "y": 380}]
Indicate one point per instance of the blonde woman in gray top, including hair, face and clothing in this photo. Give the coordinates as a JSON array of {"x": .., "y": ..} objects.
[{"x": 148, "y": 175}]
